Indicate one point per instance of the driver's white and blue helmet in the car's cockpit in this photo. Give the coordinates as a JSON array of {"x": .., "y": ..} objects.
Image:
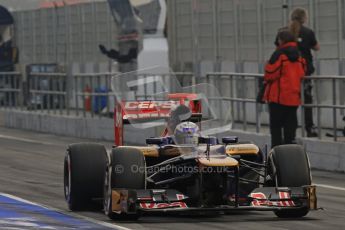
[{"x": 186, "y": 133}]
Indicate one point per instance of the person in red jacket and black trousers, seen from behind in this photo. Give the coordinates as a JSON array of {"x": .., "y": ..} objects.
[{"x": 283, "y": 75}]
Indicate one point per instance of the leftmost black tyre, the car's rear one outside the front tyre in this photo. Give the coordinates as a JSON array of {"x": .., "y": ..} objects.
[{"x": 84, "y": 167}]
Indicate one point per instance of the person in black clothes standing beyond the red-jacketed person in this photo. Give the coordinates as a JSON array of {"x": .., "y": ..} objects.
[{"x": 306, "y": 40}]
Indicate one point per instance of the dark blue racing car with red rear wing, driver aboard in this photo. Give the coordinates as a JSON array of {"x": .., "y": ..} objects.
[{"x": 183, "y": 170}]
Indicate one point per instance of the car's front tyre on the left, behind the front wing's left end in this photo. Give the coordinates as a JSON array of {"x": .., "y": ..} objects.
[{"x": 125, "y": 170}]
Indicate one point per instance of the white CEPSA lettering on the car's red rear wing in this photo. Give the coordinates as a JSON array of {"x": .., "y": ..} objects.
[{"x": 148, "y": 109}]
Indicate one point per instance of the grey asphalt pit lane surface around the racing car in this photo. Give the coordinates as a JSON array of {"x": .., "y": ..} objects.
[{"x": 31, "y": 168}]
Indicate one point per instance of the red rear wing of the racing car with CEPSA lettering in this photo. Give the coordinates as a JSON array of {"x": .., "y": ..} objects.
[{"x": 148, "y": 110}]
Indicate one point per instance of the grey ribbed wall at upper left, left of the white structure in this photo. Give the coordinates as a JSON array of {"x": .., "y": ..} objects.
[{"x": 65, "y": 35}]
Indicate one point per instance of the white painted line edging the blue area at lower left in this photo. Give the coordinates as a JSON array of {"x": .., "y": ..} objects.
[{"x": 105, "y": 224}]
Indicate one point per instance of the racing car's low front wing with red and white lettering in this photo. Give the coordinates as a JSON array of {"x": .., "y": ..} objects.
[{"x": 169, "y": 200}]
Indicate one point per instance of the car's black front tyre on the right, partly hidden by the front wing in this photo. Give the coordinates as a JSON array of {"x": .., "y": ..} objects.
[{"x": 289, "y": 167}]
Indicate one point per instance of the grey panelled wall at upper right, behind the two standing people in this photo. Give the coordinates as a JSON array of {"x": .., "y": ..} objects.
[{"x": 238, "y": 35}]
